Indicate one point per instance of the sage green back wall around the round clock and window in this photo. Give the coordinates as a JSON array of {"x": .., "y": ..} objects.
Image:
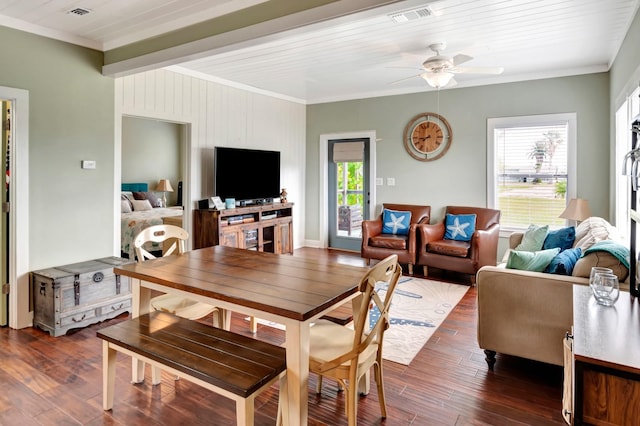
[{"x": 459, "y": 178}]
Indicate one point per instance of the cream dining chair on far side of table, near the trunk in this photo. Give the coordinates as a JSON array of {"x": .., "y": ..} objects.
[{"x": 173, "y": 239}]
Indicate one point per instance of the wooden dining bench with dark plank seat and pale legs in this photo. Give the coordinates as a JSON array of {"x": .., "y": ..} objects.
[{"x": 226, "y": 363}]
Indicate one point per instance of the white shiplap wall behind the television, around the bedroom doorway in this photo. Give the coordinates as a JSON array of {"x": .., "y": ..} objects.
[{"x": 218, "y": 115}]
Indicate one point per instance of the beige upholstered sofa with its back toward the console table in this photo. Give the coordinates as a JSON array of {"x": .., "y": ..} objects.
[{"x": 527, "y": 314}]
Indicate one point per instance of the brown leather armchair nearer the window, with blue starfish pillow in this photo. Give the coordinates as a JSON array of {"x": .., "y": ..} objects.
[{"x": 461, "y": 256}]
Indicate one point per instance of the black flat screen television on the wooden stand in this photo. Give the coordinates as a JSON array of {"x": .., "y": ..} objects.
[{"x": 251, "y": 176}]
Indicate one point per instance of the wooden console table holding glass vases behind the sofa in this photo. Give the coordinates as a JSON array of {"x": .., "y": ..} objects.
[{"x": 606, "y": 353}]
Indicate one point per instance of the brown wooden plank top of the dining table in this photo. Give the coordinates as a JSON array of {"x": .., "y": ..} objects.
[{"x": 288, "y": 286}]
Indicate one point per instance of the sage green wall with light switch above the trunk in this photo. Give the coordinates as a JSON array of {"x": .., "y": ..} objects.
[{"x": 71, "y": 118}]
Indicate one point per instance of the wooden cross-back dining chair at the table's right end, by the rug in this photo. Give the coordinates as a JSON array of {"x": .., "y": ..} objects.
[{"x": 346, "y": 354}]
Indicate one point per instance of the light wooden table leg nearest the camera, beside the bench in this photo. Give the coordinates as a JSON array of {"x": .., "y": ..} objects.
[{"x": 297, "y": 344}]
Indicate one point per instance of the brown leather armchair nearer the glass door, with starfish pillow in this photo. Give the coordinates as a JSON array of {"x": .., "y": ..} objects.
[{"x": 376, "y": 245}]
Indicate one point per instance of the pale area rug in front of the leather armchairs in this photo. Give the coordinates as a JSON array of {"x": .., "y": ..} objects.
[{"x": 418, "y": 308}]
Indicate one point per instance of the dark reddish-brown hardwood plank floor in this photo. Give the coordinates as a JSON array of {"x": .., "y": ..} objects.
[{"x": 58, "y": 381}]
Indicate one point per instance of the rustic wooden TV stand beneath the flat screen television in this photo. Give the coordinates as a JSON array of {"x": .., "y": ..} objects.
[{"x": 266, "y": 227}]
